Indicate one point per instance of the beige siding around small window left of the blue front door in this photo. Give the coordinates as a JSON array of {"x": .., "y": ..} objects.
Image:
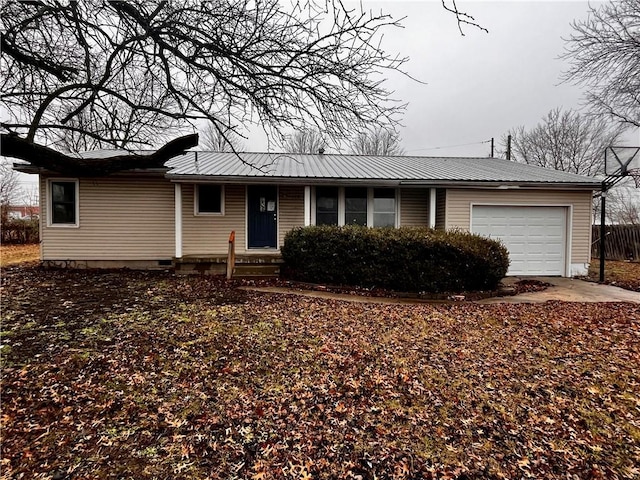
[{"x": 209, "y": 234}]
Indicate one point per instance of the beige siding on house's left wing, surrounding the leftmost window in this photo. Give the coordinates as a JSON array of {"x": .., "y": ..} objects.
[{"x": 121, "y": 218}]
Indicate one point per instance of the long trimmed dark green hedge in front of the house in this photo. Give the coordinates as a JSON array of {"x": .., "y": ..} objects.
[{"x": 403, "y": 259}]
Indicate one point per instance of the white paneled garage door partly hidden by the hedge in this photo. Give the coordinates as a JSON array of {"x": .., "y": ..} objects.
[{"x": 534, "y": 236}]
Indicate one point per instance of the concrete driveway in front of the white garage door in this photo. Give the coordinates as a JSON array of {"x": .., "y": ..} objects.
[{"x": 567, "y": 290}]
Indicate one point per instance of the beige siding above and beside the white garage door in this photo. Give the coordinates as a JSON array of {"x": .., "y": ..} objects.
[{"x": 458, "y": 211}]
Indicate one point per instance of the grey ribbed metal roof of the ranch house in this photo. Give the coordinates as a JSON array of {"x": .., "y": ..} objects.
[{"x": 323, "y": 168}]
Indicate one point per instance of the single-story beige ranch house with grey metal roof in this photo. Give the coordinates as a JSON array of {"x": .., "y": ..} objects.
[{"x": 185, "y": 212}]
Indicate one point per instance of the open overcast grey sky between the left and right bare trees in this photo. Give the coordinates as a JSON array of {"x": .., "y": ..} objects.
[{"x": 480, "y": 85}]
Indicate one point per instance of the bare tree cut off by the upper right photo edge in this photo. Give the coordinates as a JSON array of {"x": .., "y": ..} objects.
[{"x": 604, "y": 56}]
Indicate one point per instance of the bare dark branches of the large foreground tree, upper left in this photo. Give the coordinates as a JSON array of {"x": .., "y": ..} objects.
[{"x": 98, "y": 74}]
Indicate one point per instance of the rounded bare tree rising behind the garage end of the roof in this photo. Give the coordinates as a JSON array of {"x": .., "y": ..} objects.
[{"x": 564, "y": 141}]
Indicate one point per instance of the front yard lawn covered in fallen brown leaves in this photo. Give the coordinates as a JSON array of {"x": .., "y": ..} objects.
[{"x": 145, "y": 375}]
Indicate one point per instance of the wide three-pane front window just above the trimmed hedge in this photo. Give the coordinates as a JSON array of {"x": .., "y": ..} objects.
[{"x": 373, "y": 207}]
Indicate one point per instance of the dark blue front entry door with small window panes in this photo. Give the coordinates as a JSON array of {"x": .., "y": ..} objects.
[{"x": 262, "y": 214}]
